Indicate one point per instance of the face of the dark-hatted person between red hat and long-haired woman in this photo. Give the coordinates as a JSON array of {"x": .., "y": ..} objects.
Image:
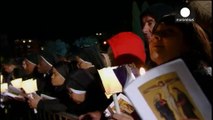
[{"x": 148, "y": 25}]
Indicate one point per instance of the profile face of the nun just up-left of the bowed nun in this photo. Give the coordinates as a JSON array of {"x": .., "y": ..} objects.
[{"x": 57, "y": 79}]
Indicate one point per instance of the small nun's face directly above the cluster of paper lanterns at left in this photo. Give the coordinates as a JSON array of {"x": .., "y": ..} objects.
[{"x": 28, "y": 66}]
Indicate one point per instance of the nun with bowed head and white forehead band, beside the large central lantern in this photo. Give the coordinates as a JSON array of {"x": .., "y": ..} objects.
[{"x": 86, "y": 90}]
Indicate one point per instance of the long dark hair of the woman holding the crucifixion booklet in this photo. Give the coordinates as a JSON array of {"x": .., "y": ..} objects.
[{"x": 195, "y": 37}]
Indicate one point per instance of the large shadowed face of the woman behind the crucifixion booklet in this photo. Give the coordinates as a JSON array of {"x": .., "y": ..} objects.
[{"x": 167, "y": 43}]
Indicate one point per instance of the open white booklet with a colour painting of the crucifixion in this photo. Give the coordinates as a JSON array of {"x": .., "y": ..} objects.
[{"x": 168, "y": 92}]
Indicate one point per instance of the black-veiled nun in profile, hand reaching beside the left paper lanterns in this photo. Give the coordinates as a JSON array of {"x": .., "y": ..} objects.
[{"x": 59, "y": 79}]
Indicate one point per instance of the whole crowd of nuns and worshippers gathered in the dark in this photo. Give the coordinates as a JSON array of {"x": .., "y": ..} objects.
[{"x": 75, "y": 83}]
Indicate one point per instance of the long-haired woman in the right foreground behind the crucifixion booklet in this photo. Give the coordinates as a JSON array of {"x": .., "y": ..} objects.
[{"x": 186, "y": 40}]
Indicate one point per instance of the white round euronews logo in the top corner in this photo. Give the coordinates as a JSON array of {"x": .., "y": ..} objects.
[{"x": 185, "y": 15}]
